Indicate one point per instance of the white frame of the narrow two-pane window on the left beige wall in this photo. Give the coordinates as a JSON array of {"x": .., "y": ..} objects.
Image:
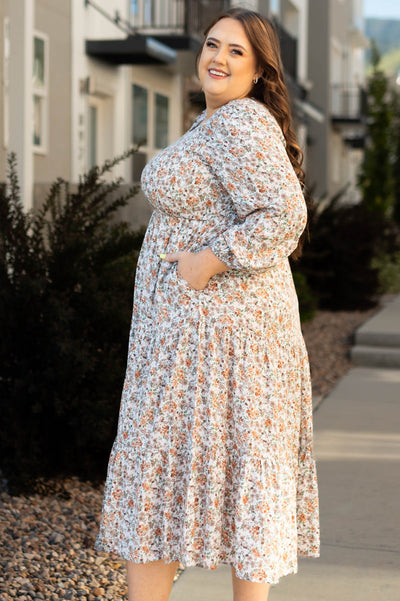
[{"x": 43, "y": 94}]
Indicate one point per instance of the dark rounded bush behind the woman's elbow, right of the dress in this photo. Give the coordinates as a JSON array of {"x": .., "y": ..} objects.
[{"x": 337, "y": 262}]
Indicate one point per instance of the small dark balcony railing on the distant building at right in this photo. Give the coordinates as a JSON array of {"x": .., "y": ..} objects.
[{"x": 348, "y": 103}]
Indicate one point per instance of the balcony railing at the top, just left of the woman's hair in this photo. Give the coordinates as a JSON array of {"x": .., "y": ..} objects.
[{"x": 174, "y": 16}]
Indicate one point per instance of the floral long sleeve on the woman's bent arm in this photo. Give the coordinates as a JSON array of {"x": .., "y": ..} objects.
[{"x": 255, "y": 171}]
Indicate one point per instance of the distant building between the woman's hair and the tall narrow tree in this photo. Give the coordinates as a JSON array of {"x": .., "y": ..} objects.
[{"x": 336, "y": 47}]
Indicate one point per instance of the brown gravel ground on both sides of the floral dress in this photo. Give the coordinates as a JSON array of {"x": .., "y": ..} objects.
[{"x": 46, "y": 544}]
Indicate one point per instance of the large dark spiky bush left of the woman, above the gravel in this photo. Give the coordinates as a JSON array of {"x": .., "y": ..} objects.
[{"x": 66, "y": 278}]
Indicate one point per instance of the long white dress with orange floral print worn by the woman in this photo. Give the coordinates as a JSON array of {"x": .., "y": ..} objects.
[{"x": 213, "y": 459}]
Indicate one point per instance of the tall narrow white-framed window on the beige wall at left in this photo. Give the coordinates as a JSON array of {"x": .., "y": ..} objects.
[{"x": 40, "y": 91}]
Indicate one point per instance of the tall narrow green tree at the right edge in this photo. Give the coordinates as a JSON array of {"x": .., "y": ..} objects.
[{"x": 375, "y": 179}]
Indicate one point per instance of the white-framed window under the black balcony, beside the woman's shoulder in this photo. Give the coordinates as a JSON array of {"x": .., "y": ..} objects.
[{"x": 150, "y": 126}]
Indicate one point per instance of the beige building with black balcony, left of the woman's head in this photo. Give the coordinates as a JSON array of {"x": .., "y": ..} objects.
[{"x": 96, "y": 80}]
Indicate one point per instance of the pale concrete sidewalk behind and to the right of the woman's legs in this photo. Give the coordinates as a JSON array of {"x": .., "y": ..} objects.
[{"x": 357, "y": 448}]
